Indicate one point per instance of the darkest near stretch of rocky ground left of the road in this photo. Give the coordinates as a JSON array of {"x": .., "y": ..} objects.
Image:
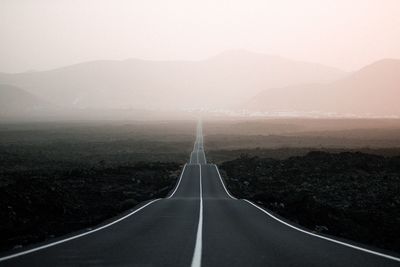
[{"x": 35, "y": 207}]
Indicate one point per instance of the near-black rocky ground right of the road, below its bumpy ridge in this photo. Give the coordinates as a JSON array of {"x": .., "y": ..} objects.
[{"x": 349, "y": 194}]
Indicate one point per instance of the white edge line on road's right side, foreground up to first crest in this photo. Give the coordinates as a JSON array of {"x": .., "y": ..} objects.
[{"x": 325, "y": 238}]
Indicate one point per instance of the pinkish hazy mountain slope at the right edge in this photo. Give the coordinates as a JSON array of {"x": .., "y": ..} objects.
[{"x": 372, "y": 91}]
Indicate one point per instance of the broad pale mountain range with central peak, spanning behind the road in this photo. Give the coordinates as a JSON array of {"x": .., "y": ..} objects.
[{"x": 220, "y": 81}]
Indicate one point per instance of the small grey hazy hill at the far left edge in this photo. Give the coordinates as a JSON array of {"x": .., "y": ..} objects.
[{"x": 17, "y": 102}]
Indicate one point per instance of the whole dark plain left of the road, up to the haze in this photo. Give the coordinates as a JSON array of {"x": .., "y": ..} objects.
[{"x": 56, "y": 178}]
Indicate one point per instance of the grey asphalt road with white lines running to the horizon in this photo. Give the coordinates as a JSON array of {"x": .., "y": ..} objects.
[{"x": 198, "y": 224}]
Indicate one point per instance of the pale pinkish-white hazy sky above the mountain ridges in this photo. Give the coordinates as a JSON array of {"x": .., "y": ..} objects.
[{"x": 43, "y": 34}]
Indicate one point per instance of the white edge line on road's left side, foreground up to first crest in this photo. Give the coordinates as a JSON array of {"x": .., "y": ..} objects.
[{"x": 76, "y": 236}]
